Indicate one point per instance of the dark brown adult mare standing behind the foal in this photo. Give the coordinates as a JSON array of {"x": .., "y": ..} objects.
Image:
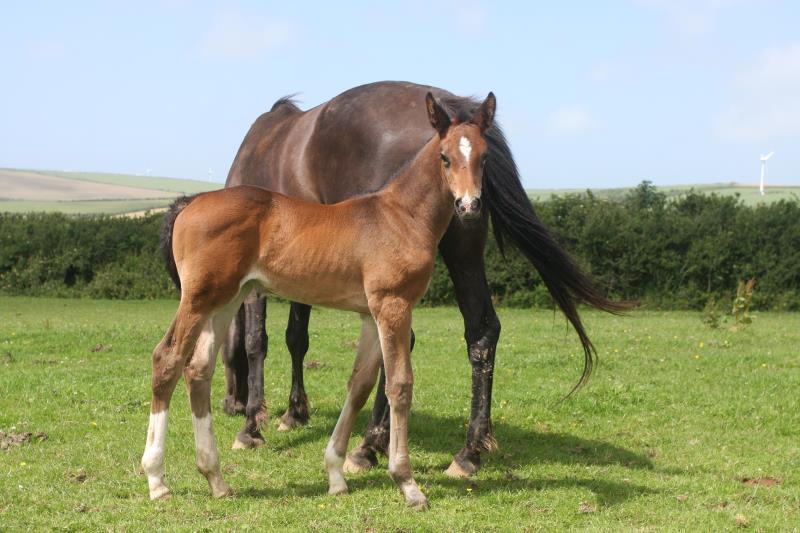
[{"x": 354, "y": 143}]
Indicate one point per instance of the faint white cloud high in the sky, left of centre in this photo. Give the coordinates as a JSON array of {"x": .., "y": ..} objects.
[{"x": 234, "y": 36}]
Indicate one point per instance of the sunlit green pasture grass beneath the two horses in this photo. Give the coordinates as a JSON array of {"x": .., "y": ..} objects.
[{"x": 675, "y": 421}]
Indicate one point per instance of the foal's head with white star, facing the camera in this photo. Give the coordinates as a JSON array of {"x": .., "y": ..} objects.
[{"x": 463, "y": 152}]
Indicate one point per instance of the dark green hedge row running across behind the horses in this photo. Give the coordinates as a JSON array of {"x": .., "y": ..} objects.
[{"x": 673, "y": 253}]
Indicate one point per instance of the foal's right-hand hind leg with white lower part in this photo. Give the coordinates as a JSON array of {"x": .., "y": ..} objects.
[{"x": 198, "y": 373}]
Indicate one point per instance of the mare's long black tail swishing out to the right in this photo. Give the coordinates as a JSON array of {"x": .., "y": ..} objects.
[{"x": 514, "y": 219}]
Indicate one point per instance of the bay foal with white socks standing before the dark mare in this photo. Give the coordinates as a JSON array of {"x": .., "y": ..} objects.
[{"x": 373, "y": 255}]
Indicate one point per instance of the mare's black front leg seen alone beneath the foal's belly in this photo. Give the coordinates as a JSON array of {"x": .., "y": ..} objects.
[{"x": 297, "y": 342}]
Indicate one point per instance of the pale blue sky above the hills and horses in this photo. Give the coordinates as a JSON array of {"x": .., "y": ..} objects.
[{"x": 591, "y": 94}]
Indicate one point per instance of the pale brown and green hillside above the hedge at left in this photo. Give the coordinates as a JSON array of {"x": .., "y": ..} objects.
[{"x": 90, "y": 192}]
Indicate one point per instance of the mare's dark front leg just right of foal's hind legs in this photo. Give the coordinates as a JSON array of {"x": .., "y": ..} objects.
[{"x": 255, "y": 342}]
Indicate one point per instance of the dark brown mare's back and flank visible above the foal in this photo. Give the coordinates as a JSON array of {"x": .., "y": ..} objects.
[{"x": 352, "y": 144}]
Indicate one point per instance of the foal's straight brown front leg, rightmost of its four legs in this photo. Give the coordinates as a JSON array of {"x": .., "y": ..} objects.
[{"x": 393, "y": 316}]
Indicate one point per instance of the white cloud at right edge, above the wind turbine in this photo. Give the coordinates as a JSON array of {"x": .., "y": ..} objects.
[{"x": 766, "y": 104}]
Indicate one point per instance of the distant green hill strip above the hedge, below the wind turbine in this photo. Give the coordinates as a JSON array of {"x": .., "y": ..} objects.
[{"x": 748, "y": 193}]
